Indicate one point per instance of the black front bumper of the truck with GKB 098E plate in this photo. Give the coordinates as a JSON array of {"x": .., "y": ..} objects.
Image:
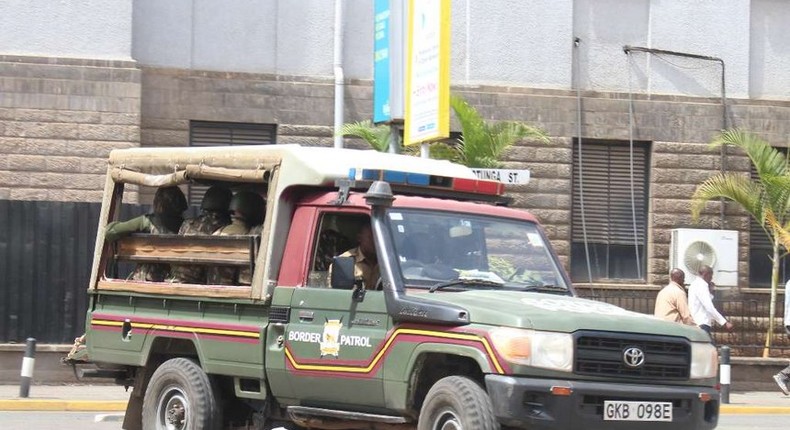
[{"x": 529, "y": 403}]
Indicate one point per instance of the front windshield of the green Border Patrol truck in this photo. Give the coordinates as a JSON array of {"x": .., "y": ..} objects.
[{"x": 438, "y": 249}]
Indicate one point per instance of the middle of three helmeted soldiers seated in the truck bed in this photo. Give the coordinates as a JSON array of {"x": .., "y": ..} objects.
[{"x": 214, "y": 214}]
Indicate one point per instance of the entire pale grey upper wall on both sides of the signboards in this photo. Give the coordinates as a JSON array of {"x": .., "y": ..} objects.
[{"x": 514, "y": 42}]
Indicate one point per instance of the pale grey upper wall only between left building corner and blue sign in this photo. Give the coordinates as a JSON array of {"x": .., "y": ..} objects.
[{"x": 257, "y": 36}]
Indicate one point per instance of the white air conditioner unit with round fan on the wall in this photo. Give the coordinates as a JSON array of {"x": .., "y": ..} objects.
[{"x": 692, "y": 248}]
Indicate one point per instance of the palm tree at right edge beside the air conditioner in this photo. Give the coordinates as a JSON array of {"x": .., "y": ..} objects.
[{"x": 766, "y": 198}]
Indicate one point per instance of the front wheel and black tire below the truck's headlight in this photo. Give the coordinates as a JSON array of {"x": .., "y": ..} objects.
[{"x": 457, "y": 403}]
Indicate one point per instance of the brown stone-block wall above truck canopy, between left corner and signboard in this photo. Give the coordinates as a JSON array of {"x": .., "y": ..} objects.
[{"x": 301, "y": 107}]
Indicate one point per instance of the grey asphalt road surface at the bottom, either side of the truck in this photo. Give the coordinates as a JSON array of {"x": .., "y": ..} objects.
[{"x": 87, "y": 421}]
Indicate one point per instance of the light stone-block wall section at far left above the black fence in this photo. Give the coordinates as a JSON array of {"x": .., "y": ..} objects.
[{"x": 59, "y": 119}]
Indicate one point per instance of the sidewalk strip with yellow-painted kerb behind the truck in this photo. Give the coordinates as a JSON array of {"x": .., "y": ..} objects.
[{"x": 112, "y": 398}]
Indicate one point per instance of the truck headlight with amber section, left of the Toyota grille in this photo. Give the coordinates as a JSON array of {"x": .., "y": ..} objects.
[{"x": 543, "y": 349}]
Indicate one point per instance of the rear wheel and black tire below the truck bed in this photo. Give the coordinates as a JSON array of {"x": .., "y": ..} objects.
[{"x": 180, "y": 397}]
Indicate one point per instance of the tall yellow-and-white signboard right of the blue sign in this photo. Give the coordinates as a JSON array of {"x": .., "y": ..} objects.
[{"x": 427, "y": 72}]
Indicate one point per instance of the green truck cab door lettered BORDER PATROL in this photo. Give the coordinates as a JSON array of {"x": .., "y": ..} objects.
[{"x": 332, "y": 340}]
